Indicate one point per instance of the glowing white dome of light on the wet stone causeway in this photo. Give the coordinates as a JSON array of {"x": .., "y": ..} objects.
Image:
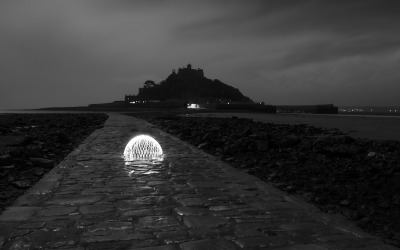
[{"x": 143, "y": 147}]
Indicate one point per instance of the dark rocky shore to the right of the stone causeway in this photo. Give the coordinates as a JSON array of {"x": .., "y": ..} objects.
[{"x": 357, "y": 178}]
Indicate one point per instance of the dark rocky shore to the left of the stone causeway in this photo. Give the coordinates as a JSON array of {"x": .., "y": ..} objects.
[{"x": 31, "y": 145}]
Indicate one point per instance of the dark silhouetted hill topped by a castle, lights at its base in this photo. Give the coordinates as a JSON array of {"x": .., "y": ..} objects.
[{"x": 189, "y": 87}]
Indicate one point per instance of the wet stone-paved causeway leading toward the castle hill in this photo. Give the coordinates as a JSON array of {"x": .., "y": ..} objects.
[{"x": 190, "y": 200}]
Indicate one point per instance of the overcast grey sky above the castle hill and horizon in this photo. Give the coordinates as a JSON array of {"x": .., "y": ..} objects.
[{"x": 77, "y": 52}]
